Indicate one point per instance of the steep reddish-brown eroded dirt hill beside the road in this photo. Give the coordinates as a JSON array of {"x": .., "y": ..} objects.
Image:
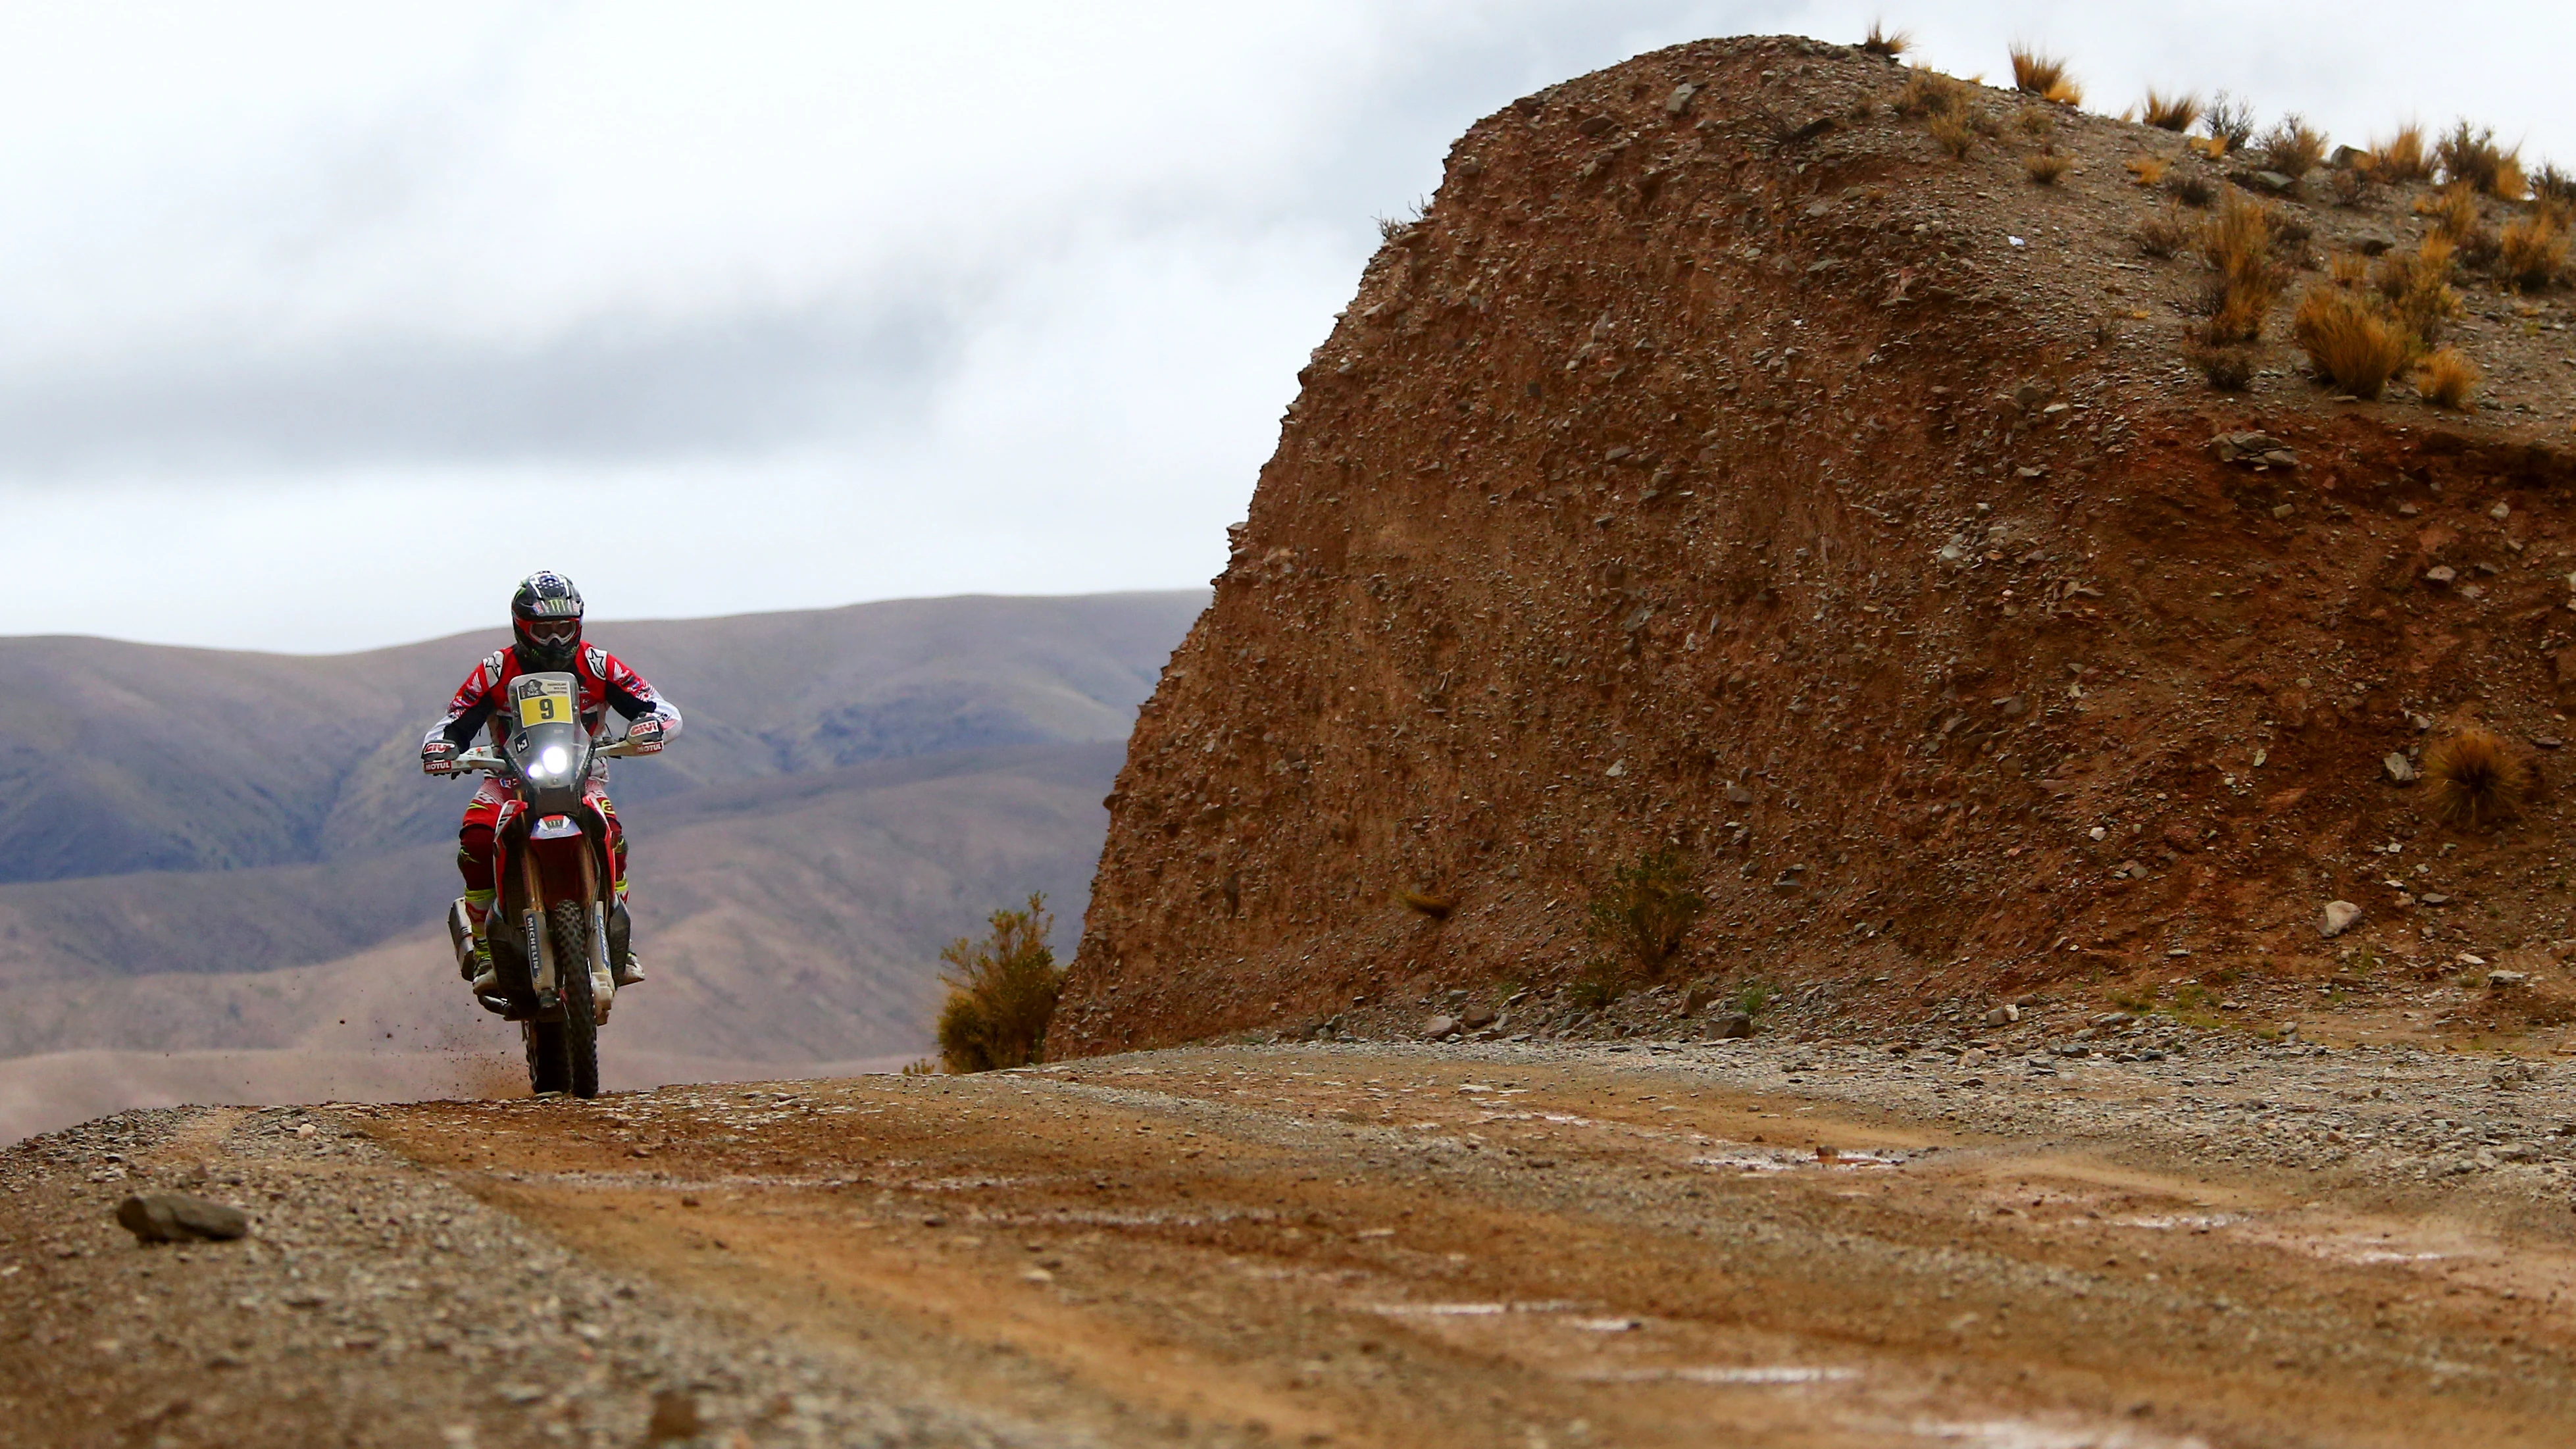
[{"x": 1725, "y": 465}]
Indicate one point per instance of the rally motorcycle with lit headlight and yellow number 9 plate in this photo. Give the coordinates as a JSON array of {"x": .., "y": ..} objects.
[{"x": 555, "y": 891}]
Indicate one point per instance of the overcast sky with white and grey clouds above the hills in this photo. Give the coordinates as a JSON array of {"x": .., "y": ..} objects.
[{"x": 326, "y": 324}]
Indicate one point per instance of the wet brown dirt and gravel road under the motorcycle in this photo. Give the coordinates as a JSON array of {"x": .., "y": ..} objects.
[{"x": 1390, "y": 1247}]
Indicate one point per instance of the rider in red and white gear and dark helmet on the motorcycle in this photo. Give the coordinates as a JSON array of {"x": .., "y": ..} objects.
[{"x": 547, "y": 625}]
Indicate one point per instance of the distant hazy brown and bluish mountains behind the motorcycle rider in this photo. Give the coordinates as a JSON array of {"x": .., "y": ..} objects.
[{"x": 233, "y": 855}]
